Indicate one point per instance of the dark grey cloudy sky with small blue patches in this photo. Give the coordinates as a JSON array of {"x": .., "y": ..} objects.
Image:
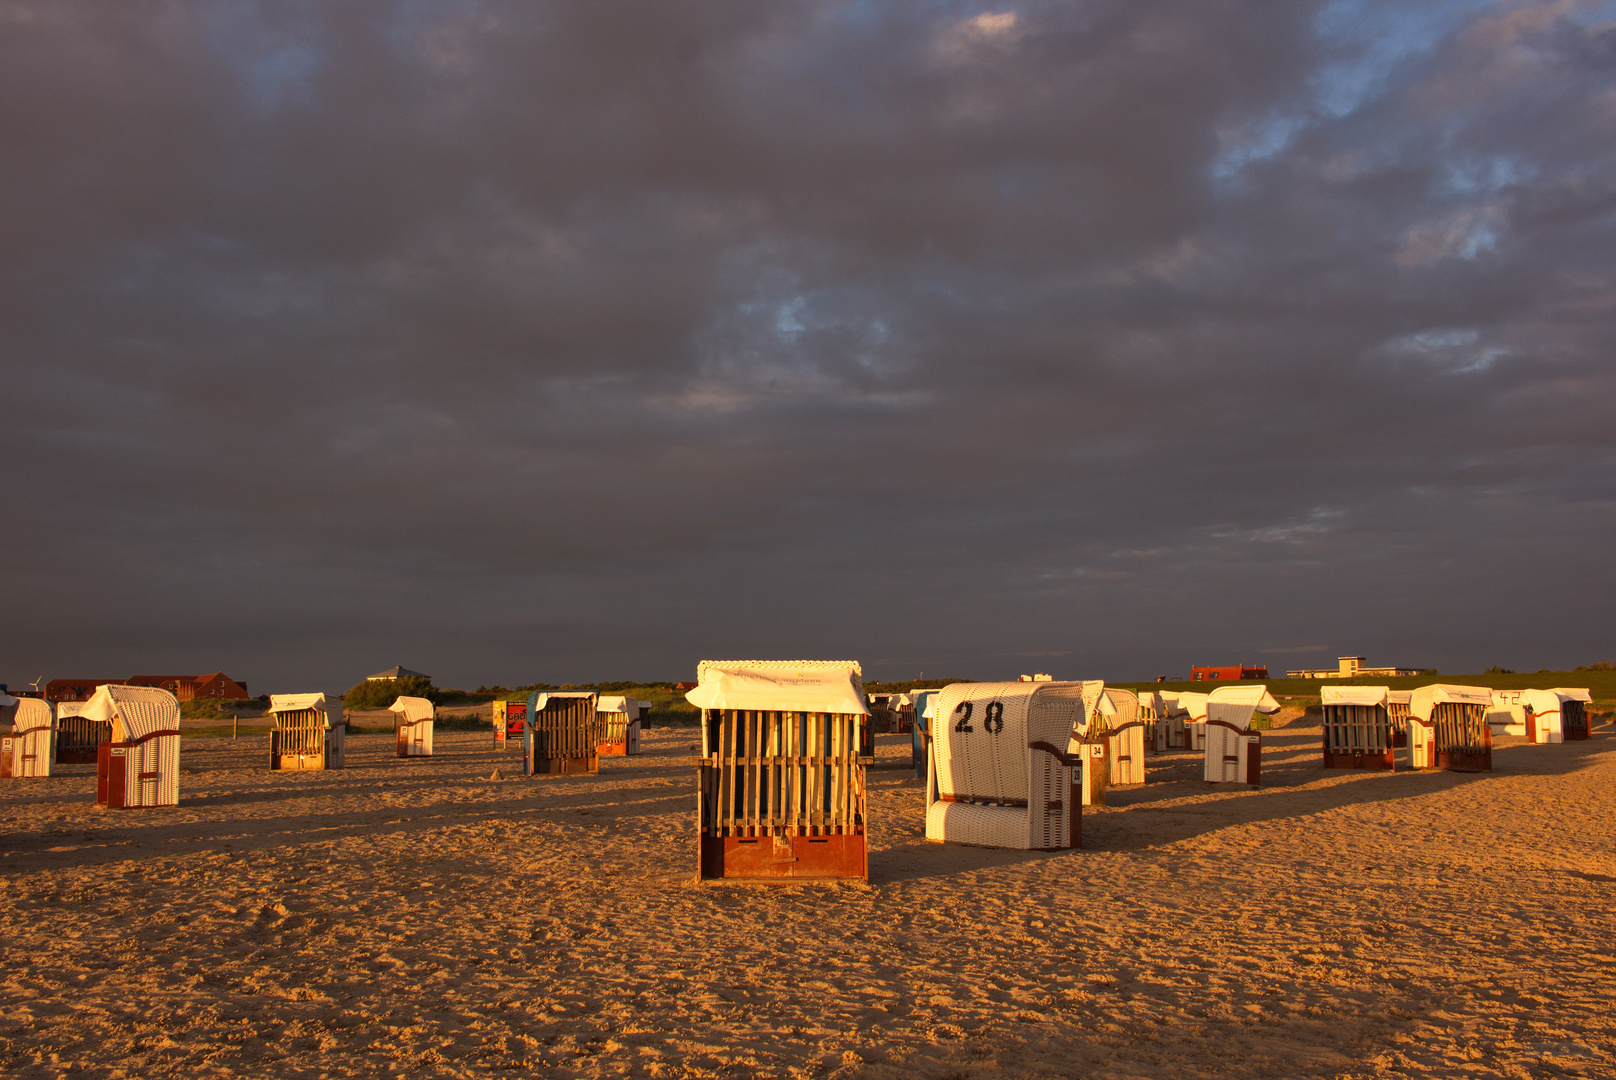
[{"x": 583, "y": 342}]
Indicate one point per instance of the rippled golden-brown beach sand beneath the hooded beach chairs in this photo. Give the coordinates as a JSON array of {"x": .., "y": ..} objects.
[{"x": 416, "y": 918}]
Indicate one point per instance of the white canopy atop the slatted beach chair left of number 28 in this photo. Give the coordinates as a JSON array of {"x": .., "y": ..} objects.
[{"x": 802, "y": 686}]
